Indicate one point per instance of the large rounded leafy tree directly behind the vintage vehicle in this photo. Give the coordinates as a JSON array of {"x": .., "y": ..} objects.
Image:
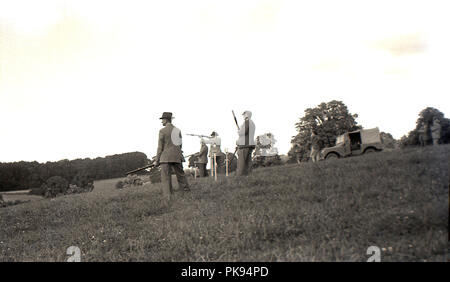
[{"x": 328, "y": 120}]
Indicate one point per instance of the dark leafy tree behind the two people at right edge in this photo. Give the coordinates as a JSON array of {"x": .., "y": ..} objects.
[{"x": 426, "y": 116}]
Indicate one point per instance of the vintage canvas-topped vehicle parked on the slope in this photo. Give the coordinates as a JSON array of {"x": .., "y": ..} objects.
[{"x": 354, "y": 143}]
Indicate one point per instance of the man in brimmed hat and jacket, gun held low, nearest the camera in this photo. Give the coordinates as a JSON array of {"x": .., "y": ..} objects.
[{"x": 170, "y": 157}]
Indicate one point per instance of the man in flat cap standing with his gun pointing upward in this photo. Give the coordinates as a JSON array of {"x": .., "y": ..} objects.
[{"x": 246, "y": 144}]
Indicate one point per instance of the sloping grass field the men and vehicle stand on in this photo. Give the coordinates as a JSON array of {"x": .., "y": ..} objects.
[{"x": 326, "y": 211}]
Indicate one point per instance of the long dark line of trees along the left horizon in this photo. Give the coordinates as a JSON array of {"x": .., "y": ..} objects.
[{"x": 29, "y": 175}]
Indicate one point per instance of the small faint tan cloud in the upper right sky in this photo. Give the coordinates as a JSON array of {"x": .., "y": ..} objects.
[{"x": 403, "y": 44}]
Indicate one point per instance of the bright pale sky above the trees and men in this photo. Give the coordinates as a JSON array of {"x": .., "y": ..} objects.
[{"x": 87, "y": 79}]
